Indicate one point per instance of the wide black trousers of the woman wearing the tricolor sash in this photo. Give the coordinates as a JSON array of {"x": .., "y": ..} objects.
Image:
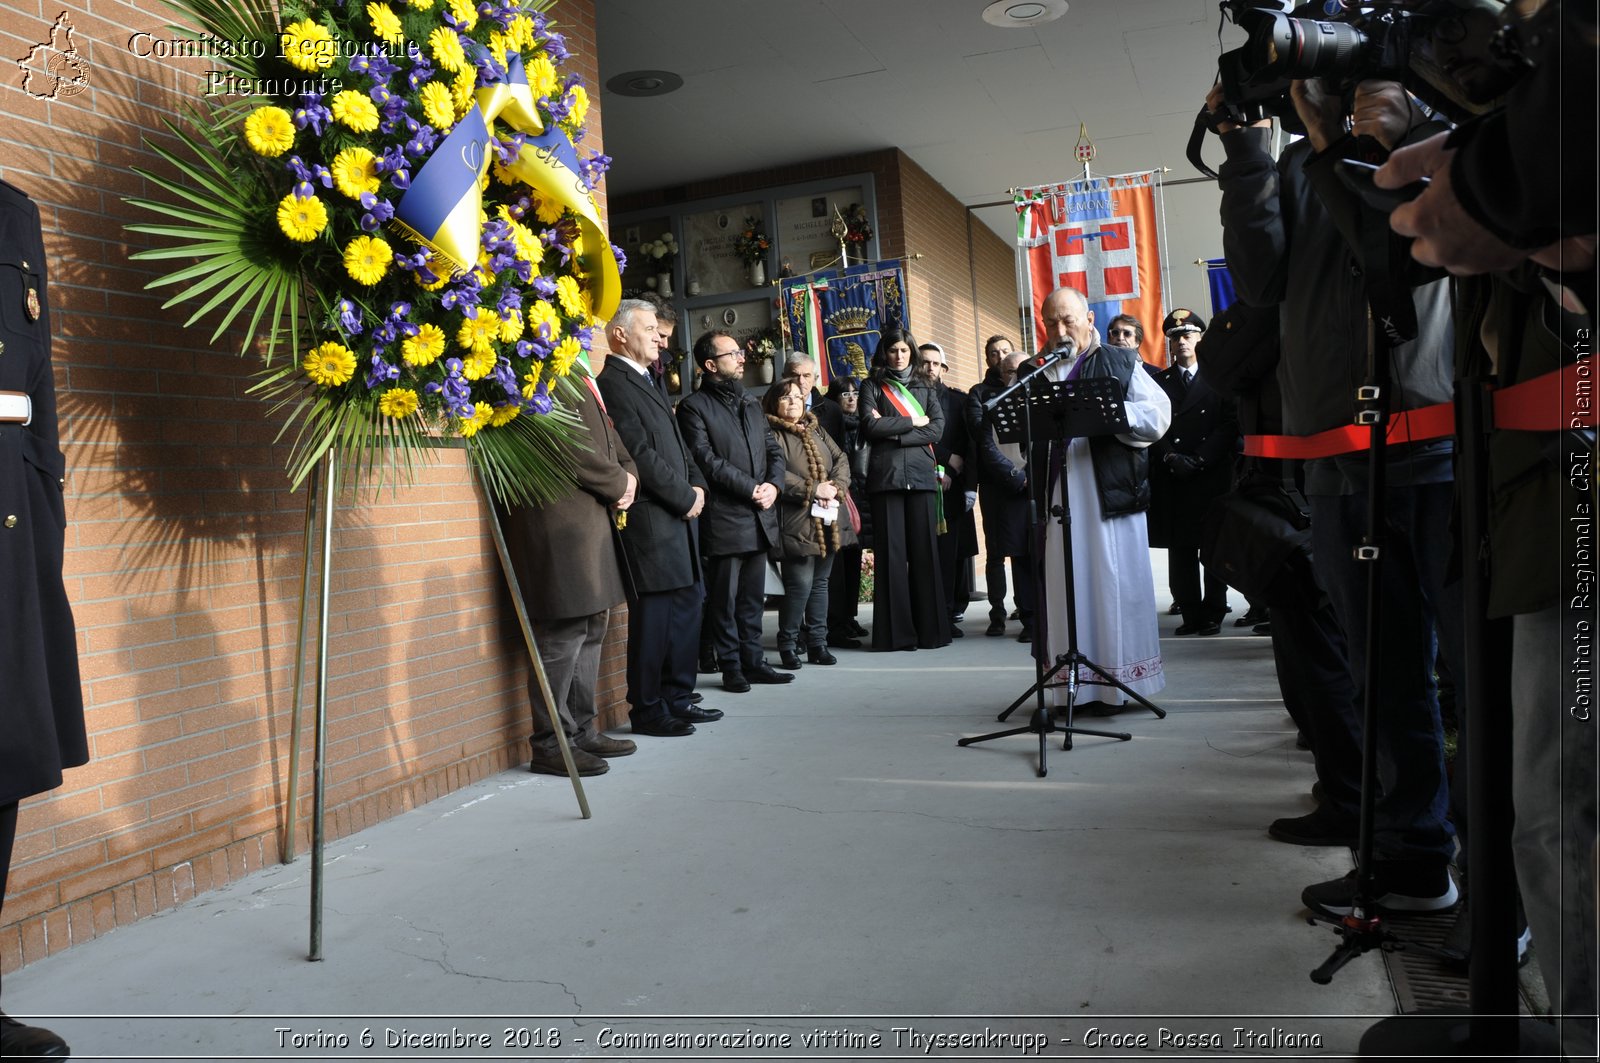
[{"x": 908, "y": 593}]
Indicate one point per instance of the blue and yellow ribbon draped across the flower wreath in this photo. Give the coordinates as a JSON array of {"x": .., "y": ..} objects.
[{"x": 442, "y": 207}]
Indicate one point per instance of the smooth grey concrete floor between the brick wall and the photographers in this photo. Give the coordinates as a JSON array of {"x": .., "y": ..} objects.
[{"x": 823, "y": 859}]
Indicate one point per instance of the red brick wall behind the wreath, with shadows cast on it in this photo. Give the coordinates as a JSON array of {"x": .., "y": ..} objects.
[{"x": 185, "y": 553}]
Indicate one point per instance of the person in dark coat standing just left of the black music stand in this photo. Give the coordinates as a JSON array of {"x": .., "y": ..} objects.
[{"x": 1001, "y": 471}]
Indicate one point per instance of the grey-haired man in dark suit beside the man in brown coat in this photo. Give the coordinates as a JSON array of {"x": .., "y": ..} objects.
[{"x": 660, "y": 542}]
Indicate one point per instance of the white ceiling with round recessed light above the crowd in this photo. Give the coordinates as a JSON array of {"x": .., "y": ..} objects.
[{"x": 982, "y": 110}]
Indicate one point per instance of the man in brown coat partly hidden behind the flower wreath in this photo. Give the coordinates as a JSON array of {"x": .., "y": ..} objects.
[{"x": 566, "y": 560}]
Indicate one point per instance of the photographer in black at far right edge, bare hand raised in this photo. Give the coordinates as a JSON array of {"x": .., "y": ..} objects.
[{"x": 1505, "y": 193}]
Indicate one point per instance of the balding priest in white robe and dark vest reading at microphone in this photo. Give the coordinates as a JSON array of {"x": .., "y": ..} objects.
[{"x": 1108, "y": 492}]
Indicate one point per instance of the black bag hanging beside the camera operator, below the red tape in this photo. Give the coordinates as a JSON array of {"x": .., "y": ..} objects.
[{"x": 1258, "y": 539}]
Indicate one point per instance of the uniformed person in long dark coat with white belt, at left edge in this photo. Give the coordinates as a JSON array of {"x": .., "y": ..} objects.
[{"x": 42, "y": 707}]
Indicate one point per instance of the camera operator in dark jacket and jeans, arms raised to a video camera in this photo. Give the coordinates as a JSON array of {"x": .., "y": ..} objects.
[{"x": 1294, "y": 236}]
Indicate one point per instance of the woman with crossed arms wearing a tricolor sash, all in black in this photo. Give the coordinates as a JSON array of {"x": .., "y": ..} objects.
[{"x": 902, "y": 419}]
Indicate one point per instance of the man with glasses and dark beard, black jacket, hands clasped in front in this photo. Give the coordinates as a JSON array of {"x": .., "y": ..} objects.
[{"x": 745, "y": 467}]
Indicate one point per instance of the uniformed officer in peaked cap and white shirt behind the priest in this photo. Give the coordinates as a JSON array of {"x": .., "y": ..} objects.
[{"x": 1191, "y": 467}]
